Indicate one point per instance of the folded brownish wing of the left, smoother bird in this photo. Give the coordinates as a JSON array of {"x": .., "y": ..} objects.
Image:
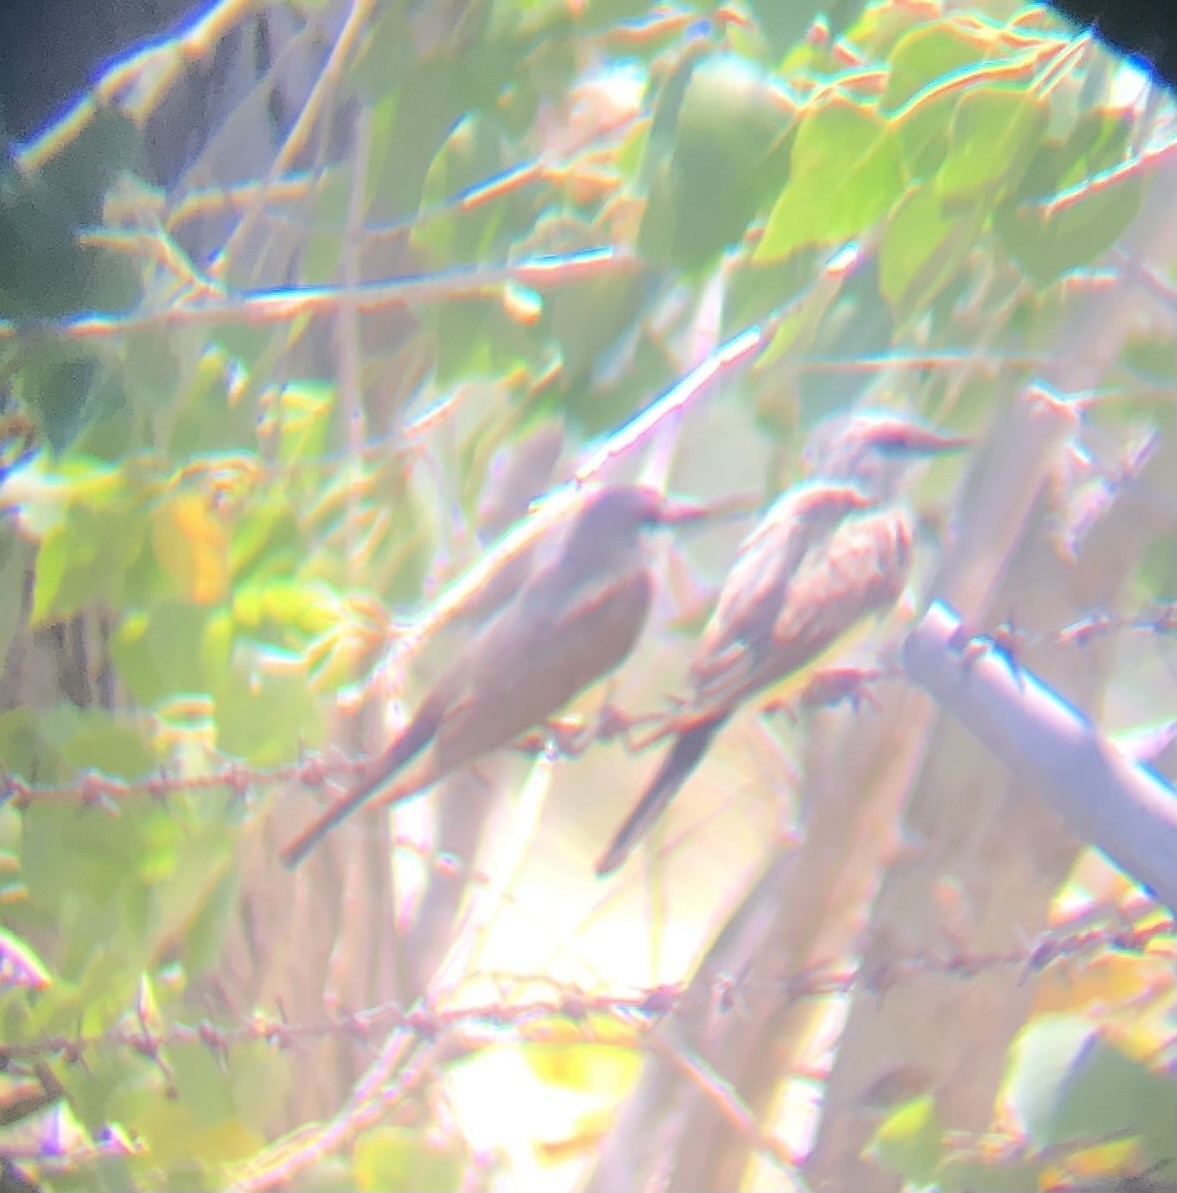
[{"x": 529, "y": 663}]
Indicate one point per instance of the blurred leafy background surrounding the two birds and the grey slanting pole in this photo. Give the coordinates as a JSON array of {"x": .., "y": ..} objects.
[{"x": 302, "y": 307}]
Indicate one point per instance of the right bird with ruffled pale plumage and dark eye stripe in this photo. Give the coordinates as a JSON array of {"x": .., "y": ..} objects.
[{"x": 832, "y": 551}]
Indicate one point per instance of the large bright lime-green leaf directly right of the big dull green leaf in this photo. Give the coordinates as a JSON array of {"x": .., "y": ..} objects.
[{"x": 846, "y": 175}]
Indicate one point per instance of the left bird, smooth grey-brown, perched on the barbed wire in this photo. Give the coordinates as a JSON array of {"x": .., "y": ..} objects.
[{"x": 575, "y": 621}]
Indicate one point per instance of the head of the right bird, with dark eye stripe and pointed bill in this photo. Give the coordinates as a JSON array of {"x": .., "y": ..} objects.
[{"x": 875, "y": 450}]
